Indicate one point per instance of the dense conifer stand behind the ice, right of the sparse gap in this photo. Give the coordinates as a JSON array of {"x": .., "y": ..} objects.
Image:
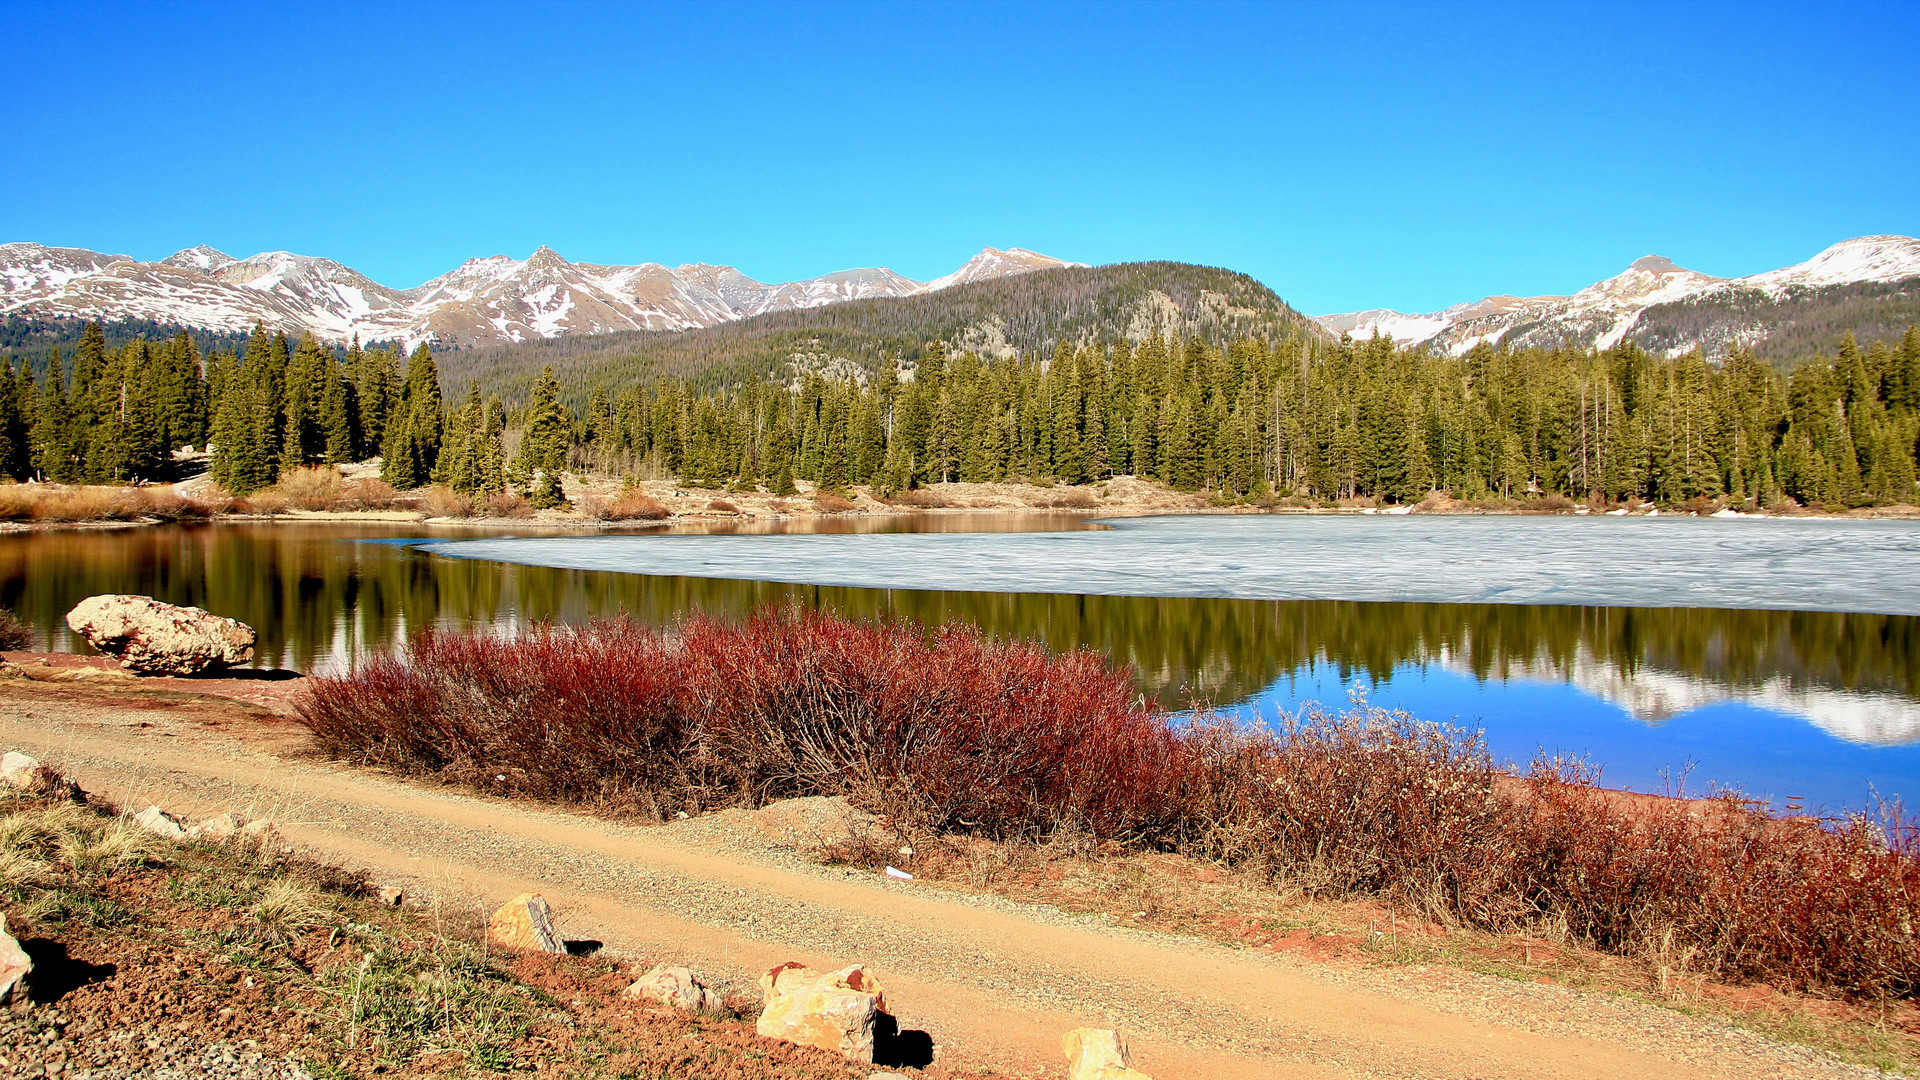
[{"x": 1314, "y": 420}]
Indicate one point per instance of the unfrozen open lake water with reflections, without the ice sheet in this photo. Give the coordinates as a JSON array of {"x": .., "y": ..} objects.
[{"x": 322, "y": 595}]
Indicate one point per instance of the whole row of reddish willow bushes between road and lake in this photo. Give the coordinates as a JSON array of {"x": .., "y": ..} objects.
[{"x": 949, "y": 731}]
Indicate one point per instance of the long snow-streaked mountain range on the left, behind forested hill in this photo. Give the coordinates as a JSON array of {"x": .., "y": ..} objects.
[{"x": 481, "y": 303}]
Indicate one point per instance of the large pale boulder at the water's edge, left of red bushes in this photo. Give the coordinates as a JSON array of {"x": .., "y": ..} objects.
[{"x": 160, "y": 639}]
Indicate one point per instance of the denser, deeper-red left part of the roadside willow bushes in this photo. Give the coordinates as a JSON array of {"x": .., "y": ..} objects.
[{"x": 948, "y": 731}]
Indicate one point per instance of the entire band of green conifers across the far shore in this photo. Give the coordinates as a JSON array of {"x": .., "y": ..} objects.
[{"x": 1245, "y": 420}]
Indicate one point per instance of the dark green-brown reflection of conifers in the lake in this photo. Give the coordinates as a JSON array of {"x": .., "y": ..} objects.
[{"x": 318, "y": 597}]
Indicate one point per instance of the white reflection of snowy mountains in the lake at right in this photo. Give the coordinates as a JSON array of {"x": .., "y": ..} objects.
[{"x": 1654, "y": 697}]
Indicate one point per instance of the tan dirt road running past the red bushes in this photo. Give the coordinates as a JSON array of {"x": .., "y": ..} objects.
[{"x": 990, "y": 981}]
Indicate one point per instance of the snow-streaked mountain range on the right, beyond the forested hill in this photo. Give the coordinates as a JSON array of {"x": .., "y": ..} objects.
[{"x": 1662, "y": 307}]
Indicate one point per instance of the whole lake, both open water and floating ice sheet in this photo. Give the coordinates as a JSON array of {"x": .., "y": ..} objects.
[{"x": 1781, "y": 658}]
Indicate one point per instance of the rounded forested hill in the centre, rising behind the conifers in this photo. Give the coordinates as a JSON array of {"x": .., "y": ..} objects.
[{"x": 1028, "y": 314}]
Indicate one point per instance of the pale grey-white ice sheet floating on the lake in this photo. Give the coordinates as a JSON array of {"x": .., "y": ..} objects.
[{"x": 1635, "y": 562}]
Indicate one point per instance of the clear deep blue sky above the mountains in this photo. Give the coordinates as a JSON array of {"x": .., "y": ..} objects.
[{"x": 1349, "y": 157}]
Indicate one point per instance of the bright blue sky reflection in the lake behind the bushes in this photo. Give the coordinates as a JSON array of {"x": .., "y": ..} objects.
[{"x": 1760, "y": 750}]
